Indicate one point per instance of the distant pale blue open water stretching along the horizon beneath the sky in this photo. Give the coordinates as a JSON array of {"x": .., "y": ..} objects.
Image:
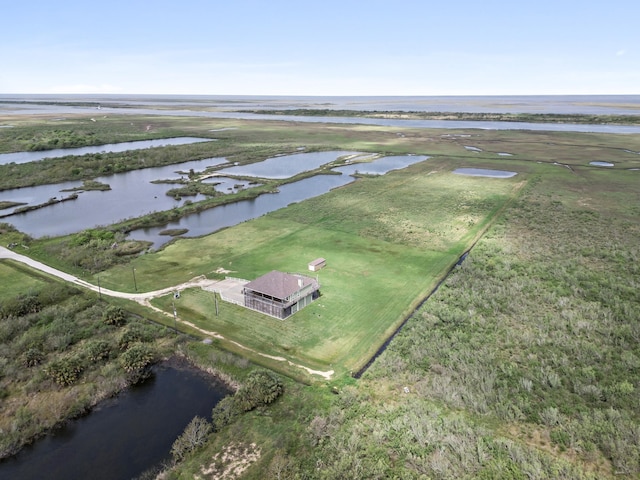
[{"x": 565, "y": 104}]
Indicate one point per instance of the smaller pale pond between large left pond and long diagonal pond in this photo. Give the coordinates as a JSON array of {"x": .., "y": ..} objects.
[{"x": 286, "y": 166}]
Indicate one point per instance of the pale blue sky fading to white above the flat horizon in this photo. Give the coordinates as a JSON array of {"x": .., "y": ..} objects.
[{"x": 328, "y": 47}]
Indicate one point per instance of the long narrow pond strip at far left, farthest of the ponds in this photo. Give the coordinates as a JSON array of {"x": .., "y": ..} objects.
[{"x": 24, "y": 157}]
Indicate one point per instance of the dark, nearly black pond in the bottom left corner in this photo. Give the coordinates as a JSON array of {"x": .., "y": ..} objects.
[{"x": 124, "y": 436}]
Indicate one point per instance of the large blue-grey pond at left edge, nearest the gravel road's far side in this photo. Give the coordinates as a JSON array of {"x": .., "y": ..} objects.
[{"x": 132, "y": 195}]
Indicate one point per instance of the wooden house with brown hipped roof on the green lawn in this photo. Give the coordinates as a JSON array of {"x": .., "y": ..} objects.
[{"x": 280, "y": 294}]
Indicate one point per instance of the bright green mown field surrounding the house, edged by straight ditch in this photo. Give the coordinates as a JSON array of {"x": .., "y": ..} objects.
[{"x": 388, "y": 240}]
